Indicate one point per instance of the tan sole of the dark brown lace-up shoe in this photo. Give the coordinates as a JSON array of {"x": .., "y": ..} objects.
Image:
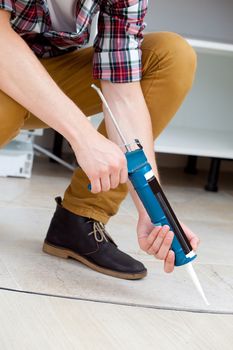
[{"x": 66, "y": 253}]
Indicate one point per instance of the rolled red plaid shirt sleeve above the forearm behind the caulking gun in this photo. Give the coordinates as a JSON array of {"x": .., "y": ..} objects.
[{"x": 117, "y": 56}]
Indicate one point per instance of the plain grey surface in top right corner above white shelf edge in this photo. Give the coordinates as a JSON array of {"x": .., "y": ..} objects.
[{"x": 204, "y": 19}]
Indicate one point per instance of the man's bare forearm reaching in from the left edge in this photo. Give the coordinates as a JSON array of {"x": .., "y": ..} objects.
[{"x": 23, "y": 78}]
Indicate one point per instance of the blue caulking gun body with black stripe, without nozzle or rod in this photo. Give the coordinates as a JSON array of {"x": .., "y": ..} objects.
[{"x": 156, "y": 204}]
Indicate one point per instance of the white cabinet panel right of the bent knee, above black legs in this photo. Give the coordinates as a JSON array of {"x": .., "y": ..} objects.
[{"x": 204, "y": 124}]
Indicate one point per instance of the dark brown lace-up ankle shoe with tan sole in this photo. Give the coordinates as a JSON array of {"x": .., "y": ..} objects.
[{"x": 86, "y": 240}]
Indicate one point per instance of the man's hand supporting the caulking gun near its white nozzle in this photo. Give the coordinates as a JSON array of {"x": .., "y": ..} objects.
[{"x": 157, "y": 241}]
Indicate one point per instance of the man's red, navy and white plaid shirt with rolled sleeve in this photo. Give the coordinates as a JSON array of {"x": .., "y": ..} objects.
[{"x": 117, "y": 54}]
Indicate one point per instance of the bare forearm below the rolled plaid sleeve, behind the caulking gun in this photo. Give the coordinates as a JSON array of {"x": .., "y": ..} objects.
[{"x": 128, "y": 106}]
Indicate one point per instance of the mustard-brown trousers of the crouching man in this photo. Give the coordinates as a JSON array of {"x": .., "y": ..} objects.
[{"x": 168, "y": 70}]
